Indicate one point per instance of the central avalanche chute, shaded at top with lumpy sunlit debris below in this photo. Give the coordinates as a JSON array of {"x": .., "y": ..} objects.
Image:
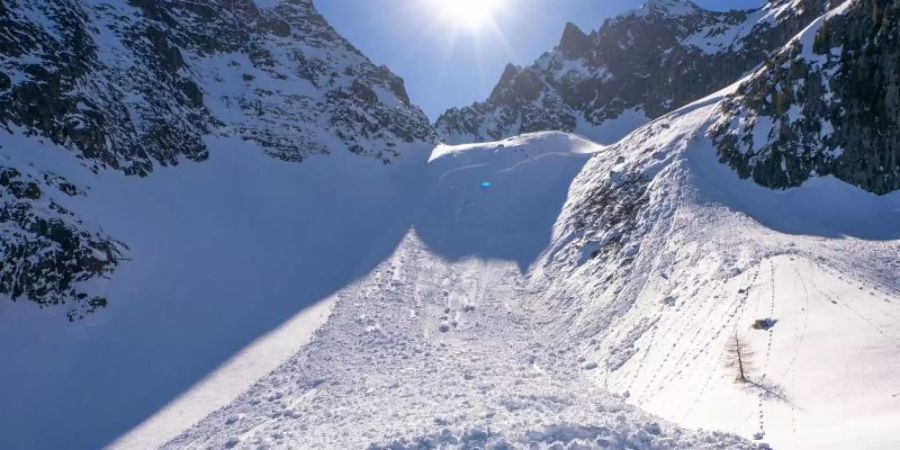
[{"x": 438, "y": 346}]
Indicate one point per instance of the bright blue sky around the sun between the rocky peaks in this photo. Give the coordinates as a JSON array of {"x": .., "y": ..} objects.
[{"x": 448, "y": 66}]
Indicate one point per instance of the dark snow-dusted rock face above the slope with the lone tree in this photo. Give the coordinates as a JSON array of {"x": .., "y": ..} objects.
[{"x": 829, "y": 104}]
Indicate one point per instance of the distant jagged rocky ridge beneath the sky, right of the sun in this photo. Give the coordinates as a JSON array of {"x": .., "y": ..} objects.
[{"x": 636, "y": 67}]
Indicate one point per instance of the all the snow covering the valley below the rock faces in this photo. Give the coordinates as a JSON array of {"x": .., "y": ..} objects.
[{"x": 342, "y": 303}]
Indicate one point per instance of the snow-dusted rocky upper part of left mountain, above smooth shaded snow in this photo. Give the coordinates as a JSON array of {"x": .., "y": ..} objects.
[{"x": 132, "y": 84}]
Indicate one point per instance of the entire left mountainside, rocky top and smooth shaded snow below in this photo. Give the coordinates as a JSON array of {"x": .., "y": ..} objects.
[{"x": 98, "y": 102}]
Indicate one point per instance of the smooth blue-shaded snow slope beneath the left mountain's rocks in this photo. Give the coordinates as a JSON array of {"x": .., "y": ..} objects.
[{"x": 220, "y": 254}]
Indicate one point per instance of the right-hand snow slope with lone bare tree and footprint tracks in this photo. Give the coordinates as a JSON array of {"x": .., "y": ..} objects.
[{"x": 663, "y": 256}]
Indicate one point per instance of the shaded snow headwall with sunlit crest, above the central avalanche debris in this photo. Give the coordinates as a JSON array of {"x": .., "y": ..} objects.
[{"x": 530, "y": 176}]
